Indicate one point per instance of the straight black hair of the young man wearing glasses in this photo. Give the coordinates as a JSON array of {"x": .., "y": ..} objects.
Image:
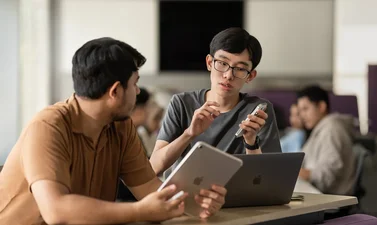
[{"x": 236, "y": 40}]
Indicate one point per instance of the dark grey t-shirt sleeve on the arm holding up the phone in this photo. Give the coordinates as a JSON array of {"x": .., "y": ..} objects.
[{"x": 269, "y": 134}]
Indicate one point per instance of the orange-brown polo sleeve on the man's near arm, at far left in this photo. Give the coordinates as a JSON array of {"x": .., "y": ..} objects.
[{"x": 44, "y": 154}]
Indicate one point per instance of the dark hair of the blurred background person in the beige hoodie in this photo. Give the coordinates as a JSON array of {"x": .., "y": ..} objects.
[{"x": 315, "y": 94}]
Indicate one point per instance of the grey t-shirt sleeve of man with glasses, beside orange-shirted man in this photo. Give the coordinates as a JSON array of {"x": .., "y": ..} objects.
[{"x": 171, "y": 127}]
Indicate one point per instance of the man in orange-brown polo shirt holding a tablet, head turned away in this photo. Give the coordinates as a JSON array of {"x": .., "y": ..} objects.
[{"x": 65, "y": 166}]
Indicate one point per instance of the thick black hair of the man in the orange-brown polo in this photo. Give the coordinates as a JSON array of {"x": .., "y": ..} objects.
[{"x": 99, "y": 63}]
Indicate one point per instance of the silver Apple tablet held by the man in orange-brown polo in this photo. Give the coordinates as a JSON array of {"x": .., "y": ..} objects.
[{"x": 203, "y": 166}]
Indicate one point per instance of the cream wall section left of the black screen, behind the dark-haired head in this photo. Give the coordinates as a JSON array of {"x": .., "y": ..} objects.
[{"x": 78, "y": 21}]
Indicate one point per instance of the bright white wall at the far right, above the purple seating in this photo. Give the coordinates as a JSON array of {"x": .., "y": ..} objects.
[{"x": 355, "y": 48}]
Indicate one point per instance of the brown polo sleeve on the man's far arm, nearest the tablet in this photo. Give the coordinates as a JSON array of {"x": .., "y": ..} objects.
[{"x": 135, "y": 168}]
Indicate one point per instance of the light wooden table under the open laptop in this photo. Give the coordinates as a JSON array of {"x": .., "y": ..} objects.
[{"x": 296, "y": 212}]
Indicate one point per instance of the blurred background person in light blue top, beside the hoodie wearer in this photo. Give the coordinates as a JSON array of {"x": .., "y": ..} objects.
[{"x": 295, "y": 135}]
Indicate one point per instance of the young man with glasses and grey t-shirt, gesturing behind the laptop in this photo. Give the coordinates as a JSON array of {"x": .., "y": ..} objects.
[{"x": 214, "y": 115}]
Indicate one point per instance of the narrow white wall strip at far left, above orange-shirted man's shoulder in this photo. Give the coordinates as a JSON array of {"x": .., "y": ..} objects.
[{"x": 35, "y": 63}]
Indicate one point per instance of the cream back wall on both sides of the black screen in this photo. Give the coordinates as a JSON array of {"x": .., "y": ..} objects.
[{"x": 292, "y": 51}]
